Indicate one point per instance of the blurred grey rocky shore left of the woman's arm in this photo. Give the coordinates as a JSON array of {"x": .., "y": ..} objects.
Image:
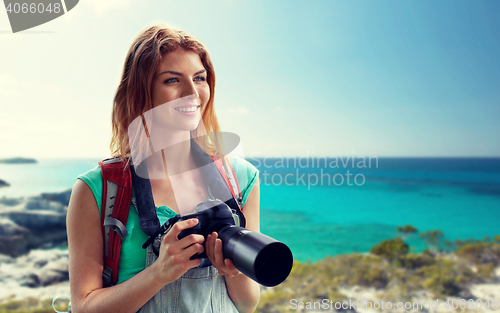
[{"x": 33, "y": 254}]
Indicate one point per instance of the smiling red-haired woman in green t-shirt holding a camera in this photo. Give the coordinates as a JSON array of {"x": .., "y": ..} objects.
[{"x": 170, "y": 73}]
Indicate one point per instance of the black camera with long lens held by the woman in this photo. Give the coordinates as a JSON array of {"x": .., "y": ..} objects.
[{"x": 260, "y": 257}]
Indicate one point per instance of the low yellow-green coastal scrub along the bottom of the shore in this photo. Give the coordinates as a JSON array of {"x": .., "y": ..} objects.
[{"x": 444, "y": 270}]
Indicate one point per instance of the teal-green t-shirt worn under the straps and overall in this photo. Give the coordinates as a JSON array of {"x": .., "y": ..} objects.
[{"x": 133, "y": 256}]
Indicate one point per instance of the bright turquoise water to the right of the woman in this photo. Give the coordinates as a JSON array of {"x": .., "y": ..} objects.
[{"x": 460, "y": 197}]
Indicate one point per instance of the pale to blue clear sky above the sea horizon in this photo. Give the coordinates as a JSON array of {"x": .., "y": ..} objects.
[{"x": 294, "y": 78}]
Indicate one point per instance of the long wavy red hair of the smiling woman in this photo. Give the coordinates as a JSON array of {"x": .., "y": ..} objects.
[{"x": 135, "y": 92}]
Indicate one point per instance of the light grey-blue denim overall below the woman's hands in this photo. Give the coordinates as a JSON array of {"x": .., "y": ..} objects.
[{"x": 199, "y": 290}]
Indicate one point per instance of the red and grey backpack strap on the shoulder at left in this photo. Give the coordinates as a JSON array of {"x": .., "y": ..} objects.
[{"x": 117, "y": 194}]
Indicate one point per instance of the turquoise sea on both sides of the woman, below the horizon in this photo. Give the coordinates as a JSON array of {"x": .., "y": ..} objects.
[{"x": 324, "y": 207}]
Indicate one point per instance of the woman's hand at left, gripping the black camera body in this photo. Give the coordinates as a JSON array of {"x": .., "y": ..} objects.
[{"x": 174, "y": 258}]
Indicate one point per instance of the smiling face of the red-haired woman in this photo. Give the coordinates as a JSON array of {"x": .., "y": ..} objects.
[{"x": 181, "y": 91}]
